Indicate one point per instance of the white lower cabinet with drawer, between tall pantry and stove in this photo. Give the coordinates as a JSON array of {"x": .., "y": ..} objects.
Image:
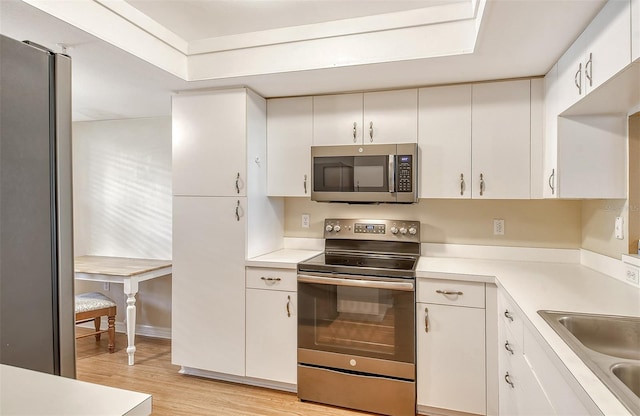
[{"x": 271, "y": 325}]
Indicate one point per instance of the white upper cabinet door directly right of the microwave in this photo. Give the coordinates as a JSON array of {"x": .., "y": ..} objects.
[{"x": 444, "y": 137}]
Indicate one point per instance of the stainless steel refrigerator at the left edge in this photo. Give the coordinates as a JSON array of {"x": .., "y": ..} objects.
[{"x": 37, "y": 328}]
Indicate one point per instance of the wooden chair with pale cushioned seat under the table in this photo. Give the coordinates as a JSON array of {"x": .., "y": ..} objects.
[{"x": 92, "y": 307}]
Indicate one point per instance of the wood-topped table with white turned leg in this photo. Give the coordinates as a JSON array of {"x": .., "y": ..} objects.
[{"x": 130, "y": 272}]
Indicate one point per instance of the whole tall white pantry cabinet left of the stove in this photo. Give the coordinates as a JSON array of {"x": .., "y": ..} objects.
[{"x": 219, "y": 197}]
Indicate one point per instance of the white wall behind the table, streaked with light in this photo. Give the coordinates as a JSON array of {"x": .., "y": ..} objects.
[{"x": 122, "y": 204}]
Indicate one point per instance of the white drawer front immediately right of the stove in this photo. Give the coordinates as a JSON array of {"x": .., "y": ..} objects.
[{"x": 451, "y": 292}]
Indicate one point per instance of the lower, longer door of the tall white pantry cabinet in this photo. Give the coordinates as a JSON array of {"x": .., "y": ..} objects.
[{"x": 208, "y": 289}]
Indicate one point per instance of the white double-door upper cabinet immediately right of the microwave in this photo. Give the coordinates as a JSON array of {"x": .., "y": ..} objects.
[{"x": 478, "y": 140}]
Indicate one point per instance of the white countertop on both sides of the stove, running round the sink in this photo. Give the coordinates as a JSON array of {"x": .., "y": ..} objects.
[{"x": 533, "y": 286}]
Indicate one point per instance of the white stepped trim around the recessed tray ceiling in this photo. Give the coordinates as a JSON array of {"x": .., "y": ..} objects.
[{"x": 437, "y": 31}]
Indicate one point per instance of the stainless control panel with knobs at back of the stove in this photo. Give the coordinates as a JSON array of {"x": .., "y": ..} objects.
[{"x": 362, "y": 229}]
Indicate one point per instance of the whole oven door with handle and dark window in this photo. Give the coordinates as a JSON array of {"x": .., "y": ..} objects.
[{"x": 357, "y": 324}]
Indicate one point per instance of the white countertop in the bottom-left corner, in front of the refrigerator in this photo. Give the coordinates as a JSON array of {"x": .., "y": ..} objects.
[{"x": 29, "y": 393}]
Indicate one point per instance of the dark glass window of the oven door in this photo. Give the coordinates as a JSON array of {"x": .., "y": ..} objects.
[{"x": 369, "y": 322}]
